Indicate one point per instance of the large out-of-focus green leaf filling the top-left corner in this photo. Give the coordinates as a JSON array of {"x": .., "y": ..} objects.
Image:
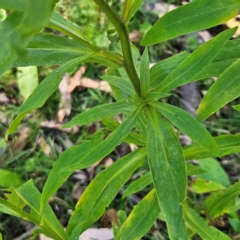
[{"x": 17, "y": 30}]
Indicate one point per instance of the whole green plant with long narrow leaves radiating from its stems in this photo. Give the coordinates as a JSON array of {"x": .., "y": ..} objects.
[{"x": 140, "y": 93}]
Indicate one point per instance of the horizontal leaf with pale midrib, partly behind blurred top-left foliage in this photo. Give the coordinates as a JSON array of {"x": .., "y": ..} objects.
[{"x": 48, "y": 49}]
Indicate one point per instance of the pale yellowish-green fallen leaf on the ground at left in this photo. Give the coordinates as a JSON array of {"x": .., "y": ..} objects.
[{"x": 27, "y": 78}]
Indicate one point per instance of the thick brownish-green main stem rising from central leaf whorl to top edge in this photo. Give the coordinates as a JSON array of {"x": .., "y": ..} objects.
[{"x": 125, "y": 42}]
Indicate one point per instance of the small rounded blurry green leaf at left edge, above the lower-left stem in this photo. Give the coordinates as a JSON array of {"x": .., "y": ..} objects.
[{"x": 10, "y": 179}]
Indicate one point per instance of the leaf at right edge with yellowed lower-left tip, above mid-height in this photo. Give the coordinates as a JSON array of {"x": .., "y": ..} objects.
[{"x": 223, "y": 91}]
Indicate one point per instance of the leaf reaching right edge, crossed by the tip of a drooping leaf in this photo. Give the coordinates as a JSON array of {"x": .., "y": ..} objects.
[{"x": 227, "y": 144}]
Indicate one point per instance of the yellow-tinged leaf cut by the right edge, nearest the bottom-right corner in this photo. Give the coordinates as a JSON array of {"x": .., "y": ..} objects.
[{"x": 223, "y": 201}]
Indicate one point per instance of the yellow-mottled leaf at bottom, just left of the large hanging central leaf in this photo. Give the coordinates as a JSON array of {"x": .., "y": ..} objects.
[{"x": 141, "y": 218}]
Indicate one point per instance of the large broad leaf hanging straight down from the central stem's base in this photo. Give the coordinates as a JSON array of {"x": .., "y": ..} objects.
[{"x": 168, "y": 169}]
